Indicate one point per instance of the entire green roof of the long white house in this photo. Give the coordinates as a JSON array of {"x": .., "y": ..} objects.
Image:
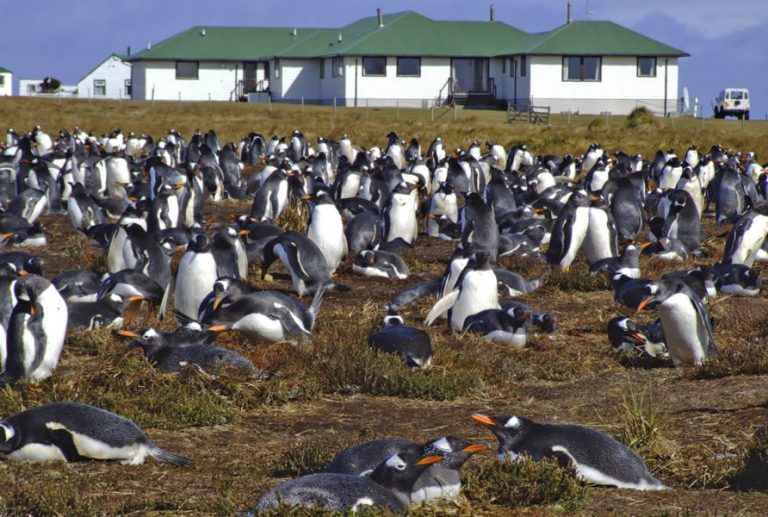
[{"x": 403, "y": 34}]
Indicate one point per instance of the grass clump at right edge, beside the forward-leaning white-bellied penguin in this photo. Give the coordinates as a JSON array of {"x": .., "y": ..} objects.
[{"x": 750, "y": 358}]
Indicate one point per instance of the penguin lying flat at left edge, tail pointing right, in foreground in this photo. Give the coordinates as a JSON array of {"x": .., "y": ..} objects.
[{"x": 71, "y": 431}]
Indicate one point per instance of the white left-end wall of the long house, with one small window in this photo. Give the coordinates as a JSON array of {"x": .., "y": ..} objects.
[{"x": 216, "y": 79}]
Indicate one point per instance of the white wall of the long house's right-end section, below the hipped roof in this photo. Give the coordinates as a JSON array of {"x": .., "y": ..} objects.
[{"x": 619, "y": 90}]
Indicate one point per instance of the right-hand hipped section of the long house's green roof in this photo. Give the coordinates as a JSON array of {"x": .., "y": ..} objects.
[{"x": 600, "y": 38}]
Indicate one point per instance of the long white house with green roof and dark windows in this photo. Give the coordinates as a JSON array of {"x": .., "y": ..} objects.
[{"x": 406, "y": 59}]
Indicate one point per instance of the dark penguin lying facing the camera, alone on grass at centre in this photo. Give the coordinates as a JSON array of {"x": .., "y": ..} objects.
[{"x": 395, "y": 337}]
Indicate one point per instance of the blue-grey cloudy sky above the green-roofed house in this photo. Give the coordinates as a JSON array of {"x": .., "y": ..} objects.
[{"x": 727, "y": 40}]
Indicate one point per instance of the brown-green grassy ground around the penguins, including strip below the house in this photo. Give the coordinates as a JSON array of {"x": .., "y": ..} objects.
[{"x": 693, "y": 426}]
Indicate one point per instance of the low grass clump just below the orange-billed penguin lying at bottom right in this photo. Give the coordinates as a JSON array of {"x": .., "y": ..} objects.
[{"x": 525, "y": 483}]
